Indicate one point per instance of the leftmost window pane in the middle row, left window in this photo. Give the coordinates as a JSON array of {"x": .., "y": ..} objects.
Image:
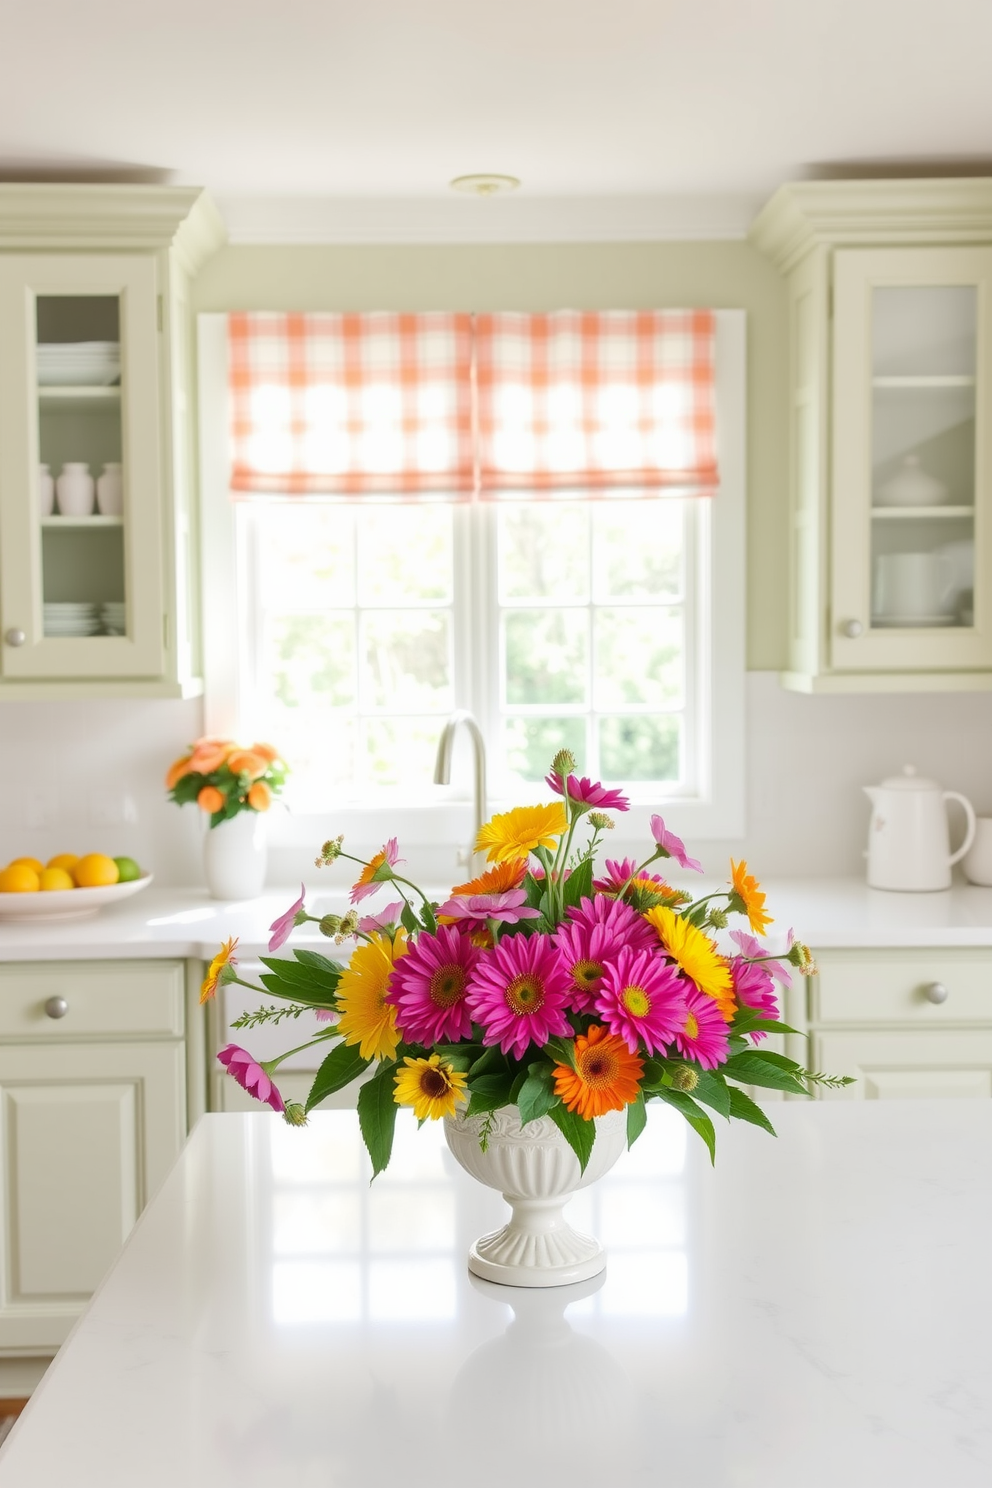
[{"x": 310, "y": 660}]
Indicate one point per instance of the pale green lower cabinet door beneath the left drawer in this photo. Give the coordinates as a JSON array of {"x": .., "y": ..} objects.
[{"x": 87, "y": 1135}]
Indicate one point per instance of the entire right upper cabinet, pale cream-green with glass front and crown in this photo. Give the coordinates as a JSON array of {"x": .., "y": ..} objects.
[{"x": 890, "y": 422}]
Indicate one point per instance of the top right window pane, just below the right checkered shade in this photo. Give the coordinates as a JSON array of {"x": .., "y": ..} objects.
[{"x": 639, "y": 550}]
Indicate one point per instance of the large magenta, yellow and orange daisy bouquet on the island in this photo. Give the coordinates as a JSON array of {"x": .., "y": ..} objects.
[{"x": 547, "y": 984}]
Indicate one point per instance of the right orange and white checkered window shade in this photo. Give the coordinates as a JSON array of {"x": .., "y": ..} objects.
[{"x": 597, "y": 401}]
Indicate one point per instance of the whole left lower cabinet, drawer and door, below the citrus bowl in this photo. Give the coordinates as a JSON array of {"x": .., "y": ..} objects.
[{"x": 93, "y": 1114}]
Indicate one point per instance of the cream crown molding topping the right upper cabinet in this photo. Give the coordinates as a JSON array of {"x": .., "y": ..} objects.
[{"x": 872, "y": 214}]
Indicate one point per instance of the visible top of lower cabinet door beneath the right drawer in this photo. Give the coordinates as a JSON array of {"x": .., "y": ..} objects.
[{"x": 905, "y": 1063}]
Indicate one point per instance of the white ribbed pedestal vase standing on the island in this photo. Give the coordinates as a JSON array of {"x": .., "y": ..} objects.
[{"x": 538, "y": 1173}]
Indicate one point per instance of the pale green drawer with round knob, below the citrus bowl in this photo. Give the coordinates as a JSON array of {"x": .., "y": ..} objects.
[{"x": 103, "y": 999}]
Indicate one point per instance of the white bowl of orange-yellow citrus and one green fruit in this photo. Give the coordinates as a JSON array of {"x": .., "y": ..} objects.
[{"x": 68, "y": 888}]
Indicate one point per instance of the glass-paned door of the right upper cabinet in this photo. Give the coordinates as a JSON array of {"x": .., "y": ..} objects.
[{"x": 911, "y": 489}]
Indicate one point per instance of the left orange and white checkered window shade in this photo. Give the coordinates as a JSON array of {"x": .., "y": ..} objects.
[{"x": 352, "y": 404}]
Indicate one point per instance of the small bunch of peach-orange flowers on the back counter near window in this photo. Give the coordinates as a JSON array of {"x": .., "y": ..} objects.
[{"x": 224, "y": 777}]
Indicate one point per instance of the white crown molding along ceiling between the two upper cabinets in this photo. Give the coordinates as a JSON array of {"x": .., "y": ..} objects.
[{"x": 495, "y": 219}]
